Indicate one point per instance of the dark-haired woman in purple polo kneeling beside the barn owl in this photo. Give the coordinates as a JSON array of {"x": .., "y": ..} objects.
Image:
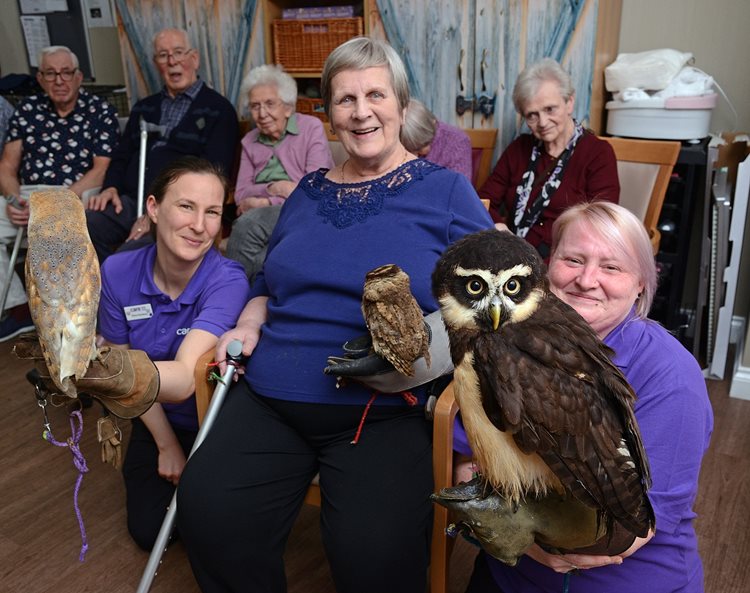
[{"x": 172, "y": 299}]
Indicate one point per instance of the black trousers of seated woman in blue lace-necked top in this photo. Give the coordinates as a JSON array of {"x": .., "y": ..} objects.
[{"x": 242, "y": 490}]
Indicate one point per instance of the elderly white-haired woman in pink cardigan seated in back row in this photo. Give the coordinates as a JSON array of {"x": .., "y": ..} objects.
[{"x": 283, "y": 147}]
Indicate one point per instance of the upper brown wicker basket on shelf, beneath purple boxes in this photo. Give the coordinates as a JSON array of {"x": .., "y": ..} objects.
[{"x": 304, "y": 45}]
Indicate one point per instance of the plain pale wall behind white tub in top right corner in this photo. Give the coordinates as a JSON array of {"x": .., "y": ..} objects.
[{"x": 715, "y": 32}]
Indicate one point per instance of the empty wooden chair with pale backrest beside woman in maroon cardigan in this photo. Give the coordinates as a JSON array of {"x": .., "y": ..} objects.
[{"x": 644, "y": 168}]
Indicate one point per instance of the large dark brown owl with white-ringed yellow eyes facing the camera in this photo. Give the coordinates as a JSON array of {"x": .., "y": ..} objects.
[{"x": 544, "y": 408}]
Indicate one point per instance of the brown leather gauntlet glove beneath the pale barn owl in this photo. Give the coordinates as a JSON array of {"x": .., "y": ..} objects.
[{"x": 126, "y": 382}]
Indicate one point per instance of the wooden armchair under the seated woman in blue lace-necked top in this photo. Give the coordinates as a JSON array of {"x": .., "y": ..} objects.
[{"x": 442, "y": 459}]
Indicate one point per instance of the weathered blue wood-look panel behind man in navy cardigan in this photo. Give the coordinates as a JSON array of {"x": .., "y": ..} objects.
[{"x": 220, "y": 30}]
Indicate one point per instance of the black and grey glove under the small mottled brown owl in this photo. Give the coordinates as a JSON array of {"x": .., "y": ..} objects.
[{"x": 360, "y": 363}]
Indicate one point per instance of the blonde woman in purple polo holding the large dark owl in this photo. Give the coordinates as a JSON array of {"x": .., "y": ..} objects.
[{"x": 602, "y": 265}]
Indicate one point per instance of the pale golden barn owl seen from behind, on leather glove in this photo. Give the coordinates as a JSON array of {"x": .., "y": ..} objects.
[{"x": 63, "y": 284}]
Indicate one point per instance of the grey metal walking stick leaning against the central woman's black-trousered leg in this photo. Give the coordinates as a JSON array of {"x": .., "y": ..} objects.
[{"x": 234, "y": 354}]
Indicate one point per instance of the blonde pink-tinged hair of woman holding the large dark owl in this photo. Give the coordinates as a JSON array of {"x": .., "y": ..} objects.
[{"x": 622, "y": 231}]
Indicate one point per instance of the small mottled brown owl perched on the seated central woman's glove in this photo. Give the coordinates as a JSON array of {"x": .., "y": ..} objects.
[{"x": 394, "y": 318}]
